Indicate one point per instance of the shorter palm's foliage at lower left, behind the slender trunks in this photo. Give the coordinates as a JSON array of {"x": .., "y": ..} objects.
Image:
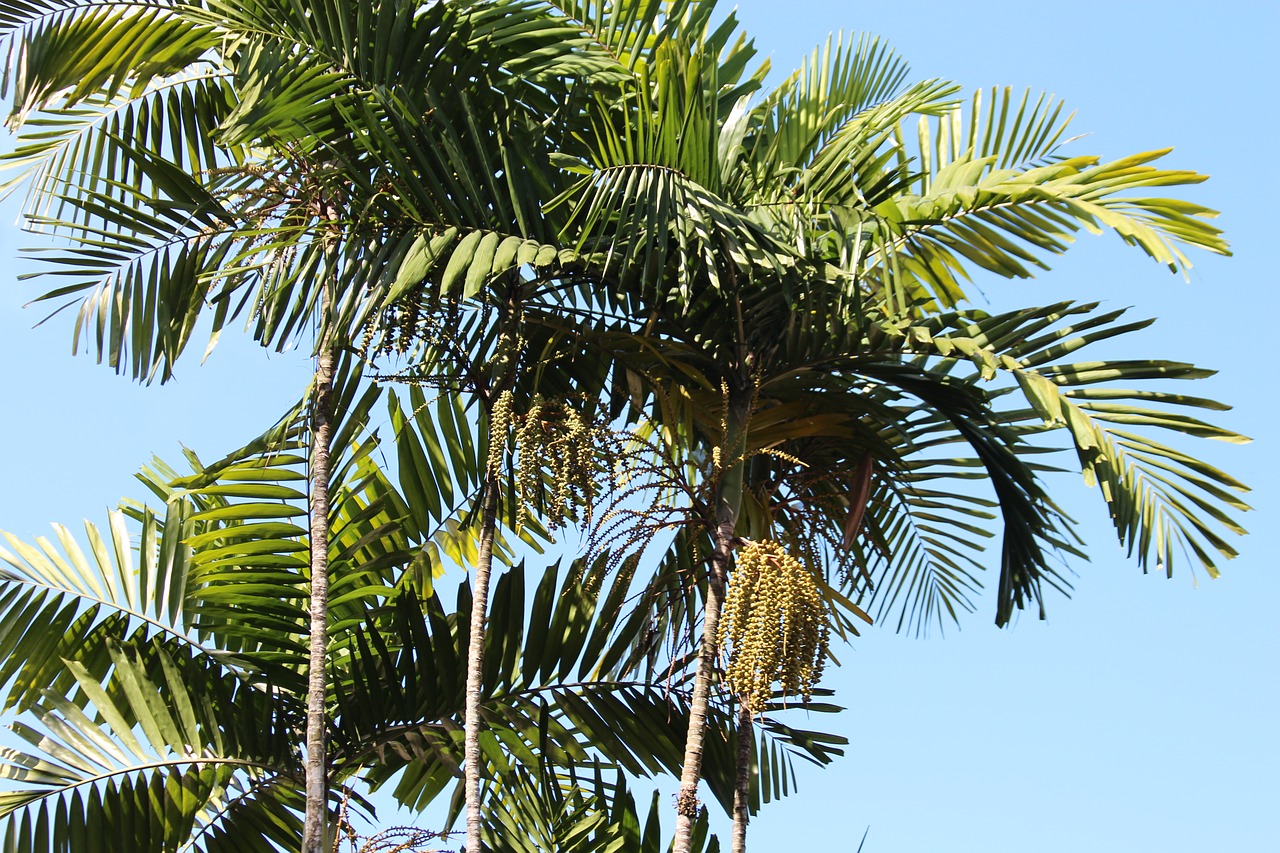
[{"x": 158, "y": 673}]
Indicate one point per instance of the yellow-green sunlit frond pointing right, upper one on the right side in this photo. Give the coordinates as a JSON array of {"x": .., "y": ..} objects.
[{"x": 994, "y": 193}]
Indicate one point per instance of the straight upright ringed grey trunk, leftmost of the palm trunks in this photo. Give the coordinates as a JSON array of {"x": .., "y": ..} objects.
[{"x": 314, "y": 833}]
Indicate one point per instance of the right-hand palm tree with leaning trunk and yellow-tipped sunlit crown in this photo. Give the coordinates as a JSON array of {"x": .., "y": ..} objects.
[{"x": 793, "y": 268}]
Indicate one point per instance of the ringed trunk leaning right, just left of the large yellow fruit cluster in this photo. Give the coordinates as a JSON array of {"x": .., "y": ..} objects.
[{"x": 728, "y": 503}]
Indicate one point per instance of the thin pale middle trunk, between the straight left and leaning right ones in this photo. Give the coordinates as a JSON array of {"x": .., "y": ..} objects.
[{"x": 476, "y": 658}]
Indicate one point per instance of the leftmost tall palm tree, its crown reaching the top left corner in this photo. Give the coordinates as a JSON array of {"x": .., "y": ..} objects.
[{"x": 272, "y": 163}]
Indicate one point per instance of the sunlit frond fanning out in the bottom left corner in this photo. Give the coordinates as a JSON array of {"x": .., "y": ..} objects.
[{"x": 143, "y": 758}]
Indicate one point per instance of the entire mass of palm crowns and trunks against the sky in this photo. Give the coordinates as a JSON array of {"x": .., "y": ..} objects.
[{"x": 527, "y": 208}]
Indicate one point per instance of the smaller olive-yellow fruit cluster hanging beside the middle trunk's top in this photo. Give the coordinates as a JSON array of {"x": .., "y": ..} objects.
[{"x": 557, "y": 466}]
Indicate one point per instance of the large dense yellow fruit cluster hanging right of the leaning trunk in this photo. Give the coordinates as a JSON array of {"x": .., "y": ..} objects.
[{"x": 774, "y": 627}]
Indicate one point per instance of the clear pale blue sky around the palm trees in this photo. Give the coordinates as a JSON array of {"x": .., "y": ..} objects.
[{"x": 1142, "y": 714}]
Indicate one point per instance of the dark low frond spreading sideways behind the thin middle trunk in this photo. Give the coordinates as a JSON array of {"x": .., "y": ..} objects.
[{"x": 572, "y": 685}]
